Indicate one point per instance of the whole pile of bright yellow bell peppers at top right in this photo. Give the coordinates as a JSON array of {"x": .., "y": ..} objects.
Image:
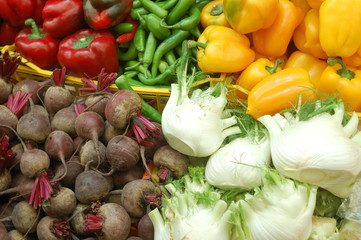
[{"x": 279, "y": 49}]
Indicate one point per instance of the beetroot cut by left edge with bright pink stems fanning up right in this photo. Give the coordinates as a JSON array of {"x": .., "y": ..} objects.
[{"x": 10, "y": 113}]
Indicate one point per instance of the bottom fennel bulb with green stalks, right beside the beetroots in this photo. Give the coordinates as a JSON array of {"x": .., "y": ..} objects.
[{"x": 195, "y": 211}]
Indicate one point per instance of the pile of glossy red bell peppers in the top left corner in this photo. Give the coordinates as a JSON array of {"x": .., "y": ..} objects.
[{"x": 79, "y": 35}]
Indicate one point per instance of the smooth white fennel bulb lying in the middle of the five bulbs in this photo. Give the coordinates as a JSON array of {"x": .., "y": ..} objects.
[{"x": 239, "y": 164}]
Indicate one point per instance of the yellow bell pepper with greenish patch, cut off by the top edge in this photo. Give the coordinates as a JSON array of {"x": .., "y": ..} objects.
[{"x": 246, "y": 16}]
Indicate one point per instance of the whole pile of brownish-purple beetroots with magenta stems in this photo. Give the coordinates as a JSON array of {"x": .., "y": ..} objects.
[{"x": 72, "y": 167}]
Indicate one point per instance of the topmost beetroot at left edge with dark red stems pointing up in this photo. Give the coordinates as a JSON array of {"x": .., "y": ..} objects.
[{"x": 8, "y": 65}]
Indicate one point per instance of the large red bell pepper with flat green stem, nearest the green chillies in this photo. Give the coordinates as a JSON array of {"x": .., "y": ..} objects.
[{"x": 87, "y": 51}]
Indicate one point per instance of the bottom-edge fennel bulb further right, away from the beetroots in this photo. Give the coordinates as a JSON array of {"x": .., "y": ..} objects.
[{"x": 279, "y": 210}]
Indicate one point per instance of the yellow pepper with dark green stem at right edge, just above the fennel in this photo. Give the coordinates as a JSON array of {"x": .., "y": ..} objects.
[{"x": 343, "y": 81}]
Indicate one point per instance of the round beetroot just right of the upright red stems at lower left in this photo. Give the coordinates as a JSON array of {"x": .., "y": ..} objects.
[{"x": 63, "y": 203}]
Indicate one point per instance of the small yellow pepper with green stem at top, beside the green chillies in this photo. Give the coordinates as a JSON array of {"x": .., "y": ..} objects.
[{"x": 212, "y": 14}]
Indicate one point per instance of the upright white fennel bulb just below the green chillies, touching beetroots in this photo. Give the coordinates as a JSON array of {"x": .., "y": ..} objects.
[{"x": 195, "y": 125}]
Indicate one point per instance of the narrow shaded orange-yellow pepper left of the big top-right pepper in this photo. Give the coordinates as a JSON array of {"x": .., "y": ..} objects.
[{"x": 306, "y": 36}]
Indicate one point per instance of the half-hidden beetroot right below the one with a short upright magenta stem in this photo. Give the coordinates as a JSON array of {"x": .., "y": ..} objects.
[{"x": 64, "y": 120}]
